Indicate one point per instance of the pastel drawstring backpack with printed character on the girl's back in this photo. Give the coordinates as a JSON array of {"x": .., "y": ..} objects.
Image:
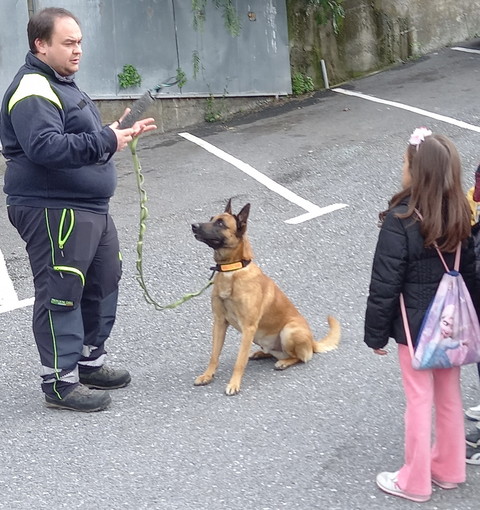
[{"x": 450, "y": 331}]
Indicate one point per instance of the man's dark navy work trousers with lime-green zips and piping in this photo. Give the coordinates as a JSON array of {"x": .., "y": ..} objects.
[{"x": 76, "y": 265}]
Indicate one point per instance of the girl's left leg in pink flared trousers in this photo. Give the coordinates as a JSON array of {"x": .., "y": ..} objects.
[{"x": 415, "y": 475}]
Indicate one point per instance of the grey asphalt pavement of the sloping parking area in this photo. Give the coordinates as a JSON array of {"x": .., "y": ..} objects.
[{"x": 311, "y": 437}]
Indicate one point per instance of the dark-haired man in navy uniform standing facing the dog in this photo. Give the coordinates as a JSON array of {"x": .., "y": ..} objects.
[{"x": 58, "y": 181}]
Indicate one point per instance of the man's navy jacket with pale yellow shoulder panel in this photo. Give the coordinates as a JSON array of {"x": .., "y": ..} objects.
[{"x": 57, "y": 151}]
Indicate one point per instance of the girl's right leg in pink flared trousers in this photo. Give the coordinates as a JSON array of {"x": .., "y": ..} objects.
[{"x": 448, "y": 453}]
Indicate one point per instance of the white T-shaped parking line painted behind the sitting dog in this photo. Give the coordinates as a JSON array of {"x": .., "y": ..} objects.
[{"x": 313, "y": 210}]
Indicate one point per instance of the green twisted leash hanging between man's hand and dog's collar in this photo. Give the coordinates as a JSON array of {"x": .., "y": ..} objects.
[{"x": 141, "y": 233}]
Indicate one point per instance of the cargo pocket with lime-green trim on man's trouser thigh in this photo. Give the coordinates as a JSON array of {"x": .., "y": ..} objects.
[{"x": 64, "y": 288}]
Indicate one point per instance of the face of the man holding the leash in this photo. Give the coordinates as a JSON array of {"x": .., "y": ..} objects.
[{"x": 64, "y": 50}]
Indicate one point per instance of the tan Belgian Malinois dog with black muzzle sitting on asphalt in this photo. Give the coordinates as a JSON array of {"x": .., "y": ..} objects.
[{"x": 248, "y": 300}]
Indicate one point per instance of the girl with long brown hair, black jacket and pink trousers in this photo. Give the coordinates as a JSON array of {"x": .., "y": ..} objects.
[{"x": 431, "y": 209}]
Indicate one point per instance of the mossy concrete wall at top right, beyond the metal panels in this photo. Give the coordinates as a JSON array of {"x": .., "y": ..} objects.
[{"x": 376, "y": 34}]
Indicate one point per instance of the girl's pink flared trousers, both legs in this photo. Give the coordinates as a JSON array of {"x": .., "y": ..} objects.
[{"x": 445, "y": 459}]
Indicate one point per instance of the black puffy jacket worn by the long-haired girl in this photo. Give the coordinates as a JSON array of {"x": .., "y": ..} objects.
[{"x": 403, "y": 265}]
